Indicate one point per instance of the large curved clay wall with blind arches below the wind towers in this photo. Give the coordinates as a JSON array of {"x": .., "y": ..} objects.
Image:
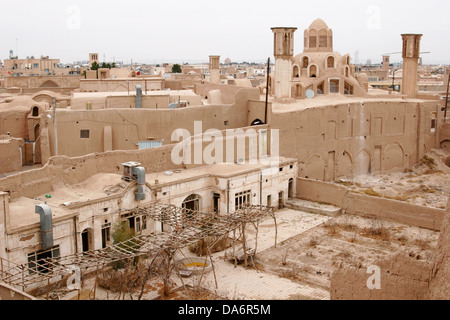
[{"x": 370, "y": 136}]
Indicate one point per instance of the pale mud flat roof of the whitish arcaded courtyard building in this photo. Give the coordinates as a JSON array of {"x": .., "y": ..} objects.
[{"x": 64, "y": 199}]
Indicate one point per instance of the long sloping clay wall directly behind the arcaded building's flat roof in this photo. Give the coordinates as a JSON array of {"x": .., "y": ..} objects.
[{"x": 65, "y": 170}]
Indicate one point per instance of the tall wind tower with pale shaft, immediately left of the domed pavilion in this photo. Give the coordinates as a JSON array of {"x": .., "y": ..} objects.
[{"x": 283, "y": 52}]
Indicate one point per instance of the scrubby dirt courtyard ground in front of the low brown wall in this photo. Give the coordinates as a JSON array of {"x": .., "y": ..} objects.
[{"x": 312, "y": 256}]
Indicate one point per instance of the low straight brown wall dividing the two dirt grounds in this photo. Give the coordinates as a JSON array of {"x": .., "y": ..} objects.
[{"x": 368, "y": 206}]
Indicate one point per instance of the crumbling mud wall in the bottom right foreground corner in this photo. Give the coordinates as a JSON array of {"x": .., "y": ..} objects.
[{"x": 405, "y": 276}]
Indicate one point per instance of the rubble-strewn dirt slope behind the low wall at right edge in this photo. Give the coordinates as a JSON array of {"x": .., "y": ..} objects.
[{"x": 426, "y": 184}]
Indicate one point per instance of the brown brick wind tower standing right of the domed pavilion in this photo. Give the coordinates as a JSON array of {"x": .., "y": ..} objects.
[{"x": 410, "y": 53}]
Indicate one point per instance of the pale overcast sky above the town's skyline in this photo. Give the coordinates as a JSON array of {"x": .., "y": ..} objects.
[{"x": 156, "y": 31}]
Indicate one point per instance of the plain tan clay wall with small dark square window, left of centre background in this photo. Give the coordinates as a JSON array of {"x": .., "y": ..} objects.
[{"x": 128, "y": 127}]
